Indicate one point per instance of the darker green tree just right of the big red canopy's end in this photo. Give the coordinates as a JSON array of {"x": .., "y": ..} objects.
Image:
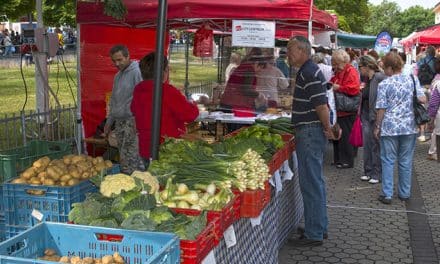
[{"x": 354, "y": 13}]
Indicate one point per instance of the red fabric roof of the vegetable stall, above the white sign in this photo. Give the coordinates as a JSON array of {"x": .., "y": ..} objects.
[{"x": 289, "y": 14}]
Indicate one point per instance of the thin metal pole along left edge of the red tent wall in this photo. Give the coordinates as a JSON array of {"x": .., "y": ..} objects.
[{"x": 79, "y": 127}]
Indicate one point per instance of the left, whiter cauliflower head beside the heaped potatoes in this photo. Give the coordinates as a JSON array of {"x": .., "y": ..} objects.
[{"x": 114, "y": 184}]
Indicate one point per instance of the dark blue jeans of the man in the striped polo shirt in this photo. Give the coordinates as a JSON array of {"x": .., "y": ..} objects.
[{"x": 310, "y": 147}]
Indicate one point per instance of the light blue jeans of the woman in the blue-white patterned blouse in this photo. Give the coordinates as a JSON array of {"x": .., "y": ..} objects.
[{"x": 400, "y": 148}]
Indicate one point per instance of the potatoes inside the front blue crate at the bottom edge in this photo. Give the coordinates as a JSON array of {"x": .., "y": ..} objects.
[{"x": 50, "y": 255}]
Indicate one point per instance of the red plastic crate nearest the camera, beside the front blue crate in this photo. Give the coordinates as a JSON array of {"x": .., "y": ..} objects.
[{"x": 194, "y": 251}]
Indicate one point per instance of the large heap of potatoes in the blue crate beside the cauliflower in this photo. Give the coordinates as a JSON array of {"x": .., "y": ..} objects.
[{"x": 68, "y": 171}]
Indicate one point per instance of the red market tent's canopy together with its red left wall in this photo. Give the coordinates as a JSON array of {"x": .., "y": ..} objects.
[{"x": 99, "y": 32}]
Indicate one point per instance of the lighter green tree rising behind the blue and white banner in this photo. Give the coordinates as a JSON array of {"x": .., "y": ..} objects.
[{"x": 383, "y": 17}]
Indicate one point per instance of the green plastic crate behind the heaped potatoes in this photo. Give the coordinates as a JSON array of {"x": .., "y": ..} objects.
[{"x": 16, "y": 160}]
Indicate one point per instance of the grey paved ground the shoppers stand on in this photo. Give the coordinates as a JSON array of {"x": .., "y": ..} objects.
[{"x": 363, "y": 230}]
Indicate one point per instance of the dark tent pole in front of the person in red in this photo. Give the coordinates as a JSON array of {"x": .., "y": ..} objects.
[{"x": 158, "y": 76}]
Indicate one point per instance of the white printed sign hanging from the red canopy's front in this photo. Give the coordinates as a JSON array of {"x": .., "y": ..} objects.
[{"x": 253, "y": 33}]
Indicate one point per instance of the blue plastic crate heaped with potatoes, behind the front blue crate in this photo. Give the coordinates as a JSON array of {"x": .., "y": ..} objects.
[{"x": 54, "y": 202}]
